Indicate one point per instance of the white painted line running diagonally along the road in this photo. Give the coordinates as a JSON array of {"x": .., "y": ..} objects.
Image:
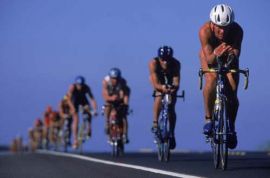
[{"x": 157, "y": 171}]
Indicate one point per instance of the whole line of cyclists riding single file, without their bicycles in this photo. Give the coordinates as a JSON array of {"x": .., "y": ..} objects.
[{"x": 220, "y": 37}]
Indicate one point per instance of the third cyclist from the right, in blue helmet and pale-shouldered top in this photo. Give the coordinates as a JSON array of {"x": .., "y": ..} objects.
[{"x": 116, "y": 90}]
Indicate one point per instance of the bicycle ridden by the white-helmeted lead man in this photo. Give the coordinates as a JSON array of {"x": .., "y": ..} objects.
[{"x": 221, "y": 122}]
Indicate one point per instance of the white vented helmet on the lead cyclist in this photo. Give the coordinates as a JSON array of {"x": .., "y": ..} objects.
[{"x": 222, "y": 15}]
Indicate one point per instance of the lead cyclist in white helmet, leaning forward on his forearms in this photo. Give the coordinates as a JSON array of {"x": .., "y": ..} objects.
[{"x": 220, "y": 37}]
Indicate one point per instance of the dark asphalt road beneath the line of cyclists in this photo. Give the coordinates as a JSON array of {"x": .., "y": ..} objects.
[{"x": 49, "y": 165}]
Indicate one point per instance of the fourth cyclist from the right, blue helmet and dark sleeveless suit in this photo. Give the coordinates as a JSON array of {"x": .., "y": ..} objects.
[{"x": 79, "y": 93}]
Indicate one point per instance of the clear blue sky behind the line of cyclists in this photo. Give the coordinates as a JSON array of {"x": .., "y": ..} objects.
[{"x": 45, "y": 44}]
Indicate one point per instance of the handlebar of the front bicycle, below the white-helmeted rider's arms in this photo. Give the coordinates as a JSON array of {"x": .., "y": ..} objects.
[{"x": 245, "y": 72}]
